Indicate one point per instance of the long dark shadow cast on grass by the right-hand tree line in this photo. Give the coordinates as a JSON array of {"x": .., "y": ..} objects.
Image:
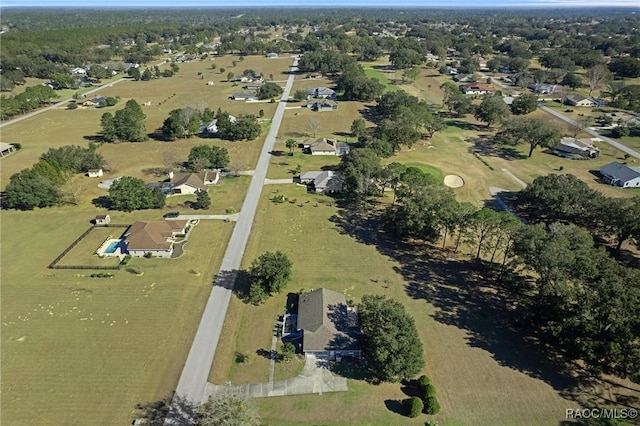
[{"x": 478, "y": 298}]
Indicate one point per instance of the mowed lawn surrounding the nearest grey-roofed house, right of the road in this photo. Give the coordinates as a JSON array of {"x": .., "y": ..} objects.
[{"x": 474, "y": 388}]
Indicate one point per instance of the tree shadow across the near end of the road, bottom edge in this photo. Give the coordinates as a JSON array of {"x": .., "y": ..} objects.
[{"x": 176, "y": 411}]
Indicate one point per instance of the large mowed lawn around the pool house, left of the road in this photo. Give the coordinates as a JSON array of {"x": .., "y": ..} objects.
[{"x": 79, "y": 350}]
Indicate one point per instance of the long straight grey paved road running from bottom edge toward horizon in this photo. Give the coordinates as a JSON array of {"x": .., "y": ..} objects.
[{"x": 191, "y": 387}]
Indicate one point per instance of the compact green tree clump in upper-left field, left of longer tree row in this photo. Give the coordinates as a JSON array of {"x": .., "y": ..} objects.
[{"x": 127, "y": 124}]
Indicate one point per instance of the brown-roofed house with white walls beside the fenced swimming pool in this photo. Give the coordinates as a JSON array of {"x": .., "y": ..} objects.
[{"x": 153, "y": 238}]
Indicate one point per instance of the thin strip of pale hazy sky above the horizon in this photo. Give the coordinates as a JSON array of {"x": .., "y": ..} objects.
[{"x": 319, "y": 3}]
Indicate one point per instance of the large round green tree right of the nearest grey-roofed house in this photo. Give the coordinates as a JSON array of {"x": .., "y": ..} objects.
[{"x": 390, "y": 339}]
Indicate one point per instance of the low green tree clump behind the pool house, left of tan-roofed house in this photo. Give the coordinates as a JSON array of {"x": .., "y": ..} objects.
[{"x": 129, "y": 194}]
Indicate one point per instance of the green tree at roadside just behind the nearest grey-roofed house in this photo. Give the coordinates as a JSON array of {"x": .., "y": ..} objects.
[{"x": 270, "y": 273}]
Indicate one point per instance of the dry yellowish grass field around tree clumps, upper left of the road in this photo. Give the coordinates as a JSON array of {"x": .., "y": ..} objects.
[{"x": 63, "y": 127}]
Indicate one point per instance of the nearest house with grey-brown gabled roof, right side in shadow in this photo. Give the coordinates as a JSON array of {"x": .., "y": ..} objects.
[{"x": 328, "y": 325}]
